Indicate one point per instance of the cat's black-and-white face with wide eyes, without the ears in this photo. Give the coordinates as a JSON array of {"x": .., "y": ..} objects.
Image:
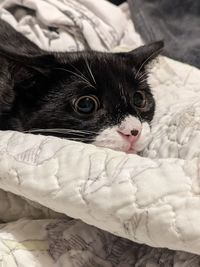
[{"x": 99, "y": 97}]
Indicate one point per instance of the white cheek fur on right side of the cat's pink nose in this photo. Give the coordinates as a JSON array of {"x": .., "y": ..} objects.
[{"x": 144, "y": 139}]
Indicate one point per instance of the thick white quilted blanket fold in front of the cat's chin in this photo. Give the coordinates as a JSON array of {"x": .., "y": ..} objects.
[{"x": 141, "y": 200}]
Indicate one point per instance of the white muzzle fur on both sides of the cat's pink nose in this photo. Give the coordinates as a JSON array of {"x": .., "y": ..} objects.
[{"x": 109, "y": 138}]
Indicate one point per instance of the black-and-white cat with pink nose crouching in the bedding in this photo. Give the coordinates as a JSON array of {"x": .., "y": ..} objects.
[{"x": 89, "y": 96}]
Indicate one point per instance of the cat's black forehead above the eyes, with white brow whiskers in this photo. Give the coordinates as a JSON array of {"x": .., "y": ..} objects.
[{"x": 103, "y": 74}]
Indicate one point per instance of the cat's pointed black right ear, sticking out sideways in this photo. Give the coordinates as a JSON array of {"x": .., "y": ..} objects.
[{"x": 141, "y": 56}]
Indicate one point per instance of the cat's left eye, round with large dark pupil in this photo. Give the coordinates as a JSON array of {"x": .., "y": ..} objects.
[{"x": 86, "y": 105}]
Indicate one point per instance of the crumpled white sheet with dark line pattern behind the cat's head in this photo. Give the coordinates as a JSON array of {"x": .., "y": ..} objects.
[{"x": 66, "y": 24}]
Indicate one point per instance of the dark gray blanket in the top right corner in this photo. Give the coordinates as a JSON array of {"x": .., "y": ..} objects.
[{"x": 177, "y": 22}]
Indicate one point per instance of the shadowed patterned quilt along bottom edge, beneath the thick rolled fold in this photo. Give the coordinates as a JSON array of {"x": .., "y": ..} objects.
[{"x": 71, "y": 243}]
